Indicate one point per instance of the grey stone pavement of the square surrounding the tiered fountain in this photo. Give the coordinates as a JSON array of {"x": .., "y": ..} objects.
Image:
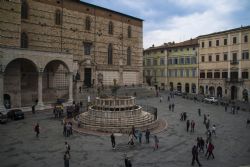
[{"x": 20, "y": 147}]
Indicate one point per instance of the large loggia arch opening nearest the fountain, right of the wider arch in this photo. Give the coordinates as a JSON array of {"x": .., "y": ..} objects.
[{"x": 56, "y": 82}]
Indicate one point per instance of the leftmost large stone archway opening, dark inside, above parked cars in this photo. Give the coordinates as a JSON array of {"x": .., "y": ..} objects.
[{"x": 21, "y": 82}]
